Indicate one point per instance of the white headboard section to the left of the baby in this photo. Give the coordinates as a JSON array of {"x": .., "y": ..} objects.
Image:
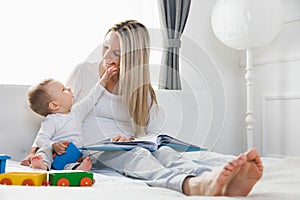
[{"x": 18, "y": 124}]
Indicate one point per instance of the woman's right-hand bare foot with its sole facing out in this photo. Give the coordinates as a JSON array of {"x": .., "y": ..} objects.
[{"x": 250, "y": 172}]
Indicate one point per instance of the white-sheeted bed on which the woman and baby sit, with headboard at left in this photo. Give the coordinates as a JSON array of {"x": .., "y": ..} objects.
[{"x": 18, "y": 126}]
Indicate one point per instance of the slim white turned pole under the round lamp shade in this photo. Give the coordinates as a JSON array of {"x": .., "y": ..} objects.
[{"x": 249, "y": 112}]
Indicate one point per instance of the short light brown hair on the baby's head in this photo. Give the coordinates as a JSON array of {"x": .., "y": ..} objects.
[{"x": 39, "y": 98}]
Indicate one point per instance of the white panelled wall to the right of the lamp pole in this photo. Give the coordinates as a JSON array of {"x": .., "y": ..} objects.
[{"x": 277, "y": 88}]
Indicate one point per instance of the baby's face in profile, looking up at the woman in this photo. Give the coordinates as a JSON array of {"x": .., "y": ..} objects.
[{"x": 62, "y": 95}]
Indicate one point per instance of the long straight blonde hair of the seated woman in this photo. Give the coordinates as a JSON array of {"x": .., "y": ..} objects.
[{"x": 134, "y": 83}]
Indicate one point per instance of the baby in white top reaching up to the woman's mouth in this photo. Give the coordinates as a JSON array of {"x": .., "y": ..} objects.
[{"x": 63, "y": 120}]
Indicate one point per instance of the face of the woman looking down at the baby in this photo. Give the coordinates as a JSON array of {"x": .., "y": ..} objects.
[{"x": 111, "y": 50}]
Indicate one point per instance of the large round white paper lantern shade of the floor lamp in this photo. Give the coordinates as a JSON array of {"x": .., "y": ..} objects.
[{"x": 243, "y": 24}]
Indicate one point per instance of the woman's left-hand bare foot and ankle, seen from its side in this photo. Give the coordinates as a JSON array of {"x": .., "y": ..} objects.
[{"x": 212, "y": 183}]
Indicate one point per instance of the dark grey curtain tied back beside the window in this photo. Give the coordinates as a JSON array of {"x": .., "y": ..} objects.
[{"x": 173, "y": 17}]
